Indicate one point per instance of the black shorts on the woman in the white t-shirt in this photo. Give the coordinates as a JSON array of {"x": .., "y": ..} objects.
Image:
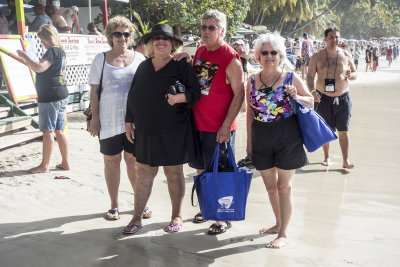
[{"x": 114, "y": 145}]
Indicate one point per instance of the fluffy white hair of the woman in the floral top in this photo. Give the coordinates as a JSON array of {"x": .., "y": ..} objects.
[{"x": 277, "y": 42}]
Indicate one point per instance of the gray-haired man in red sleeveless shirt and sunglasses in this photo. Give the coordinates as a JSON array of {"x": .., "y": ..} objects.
[{"x": 222, "y": 92}]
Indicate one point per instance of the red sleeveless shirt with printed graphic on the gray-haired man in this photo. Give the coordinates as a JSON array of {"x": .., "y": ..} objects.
[{"x": 216, "y": 95}]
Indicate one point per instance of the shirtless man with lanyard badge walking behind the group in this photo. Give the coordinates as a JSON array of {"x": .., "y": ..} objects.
[{"x": 335, "y": 68}]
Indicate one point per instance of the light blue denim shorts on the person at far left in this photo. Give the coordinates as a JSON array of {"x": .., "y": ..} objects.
[{"x": 52, "y": 115}]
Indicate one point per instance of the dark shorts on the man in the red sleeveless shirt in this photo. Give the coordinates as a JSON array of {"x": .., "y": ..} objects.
[{"x": 207, "y": 146}]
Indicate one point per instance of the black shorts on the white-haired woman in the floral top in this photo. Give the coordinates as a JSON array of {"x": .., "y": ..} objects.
[{"x": 277, "y": 144}]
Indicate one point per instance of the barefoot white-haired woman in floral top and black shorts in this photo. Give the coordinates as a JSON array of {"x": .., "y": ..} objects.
[{"x": 273, "y": 137}]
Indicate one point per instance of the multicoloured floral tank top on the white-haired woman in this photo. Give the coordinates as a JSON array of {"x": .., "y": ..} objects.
[{"x": 273, "y": 105}]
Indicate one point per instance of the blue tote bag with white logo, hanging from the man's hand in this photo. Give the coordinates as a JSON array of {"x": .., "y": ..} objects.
[{"x": 222, "y": 195}]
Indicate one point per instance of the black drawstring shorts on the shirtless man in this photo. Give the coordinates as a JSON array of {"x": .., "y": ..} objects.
[{"x": 336, "y": 111}]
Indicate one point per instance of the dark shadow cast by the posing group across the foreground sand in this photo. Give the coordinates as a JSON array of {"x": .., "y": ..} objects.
[{"x": 61, "y": 242}]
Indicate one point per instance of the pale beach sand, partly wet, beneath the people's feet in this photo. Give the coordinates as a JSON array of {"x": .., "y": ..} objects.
[{"x": 340, "y": 218}]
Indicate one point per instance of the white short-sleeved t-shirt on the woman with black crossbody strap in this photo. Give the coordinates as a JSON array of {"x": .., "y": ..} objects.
[{"x": 116, "y": 84}]
